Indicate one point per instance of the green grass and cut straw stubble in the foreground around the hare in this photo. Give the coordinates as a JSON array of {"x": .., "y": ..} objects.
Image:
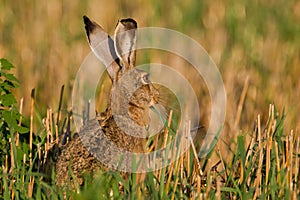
[{"x": 265, "y": 167}]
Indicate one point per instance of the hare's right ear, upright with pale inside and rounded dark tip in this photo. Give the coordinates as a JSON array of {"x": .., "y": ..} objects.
[{"x": 125, "y": 42}]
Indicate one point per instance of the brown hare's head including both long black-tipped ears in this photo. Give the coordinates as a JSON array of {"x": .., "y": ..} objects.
[{"x": 132, "y": 93}]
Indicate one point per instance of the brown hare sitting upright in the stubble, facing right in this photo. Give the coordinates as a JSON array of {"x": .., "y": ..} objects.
[{"x": 126, "y": 118}]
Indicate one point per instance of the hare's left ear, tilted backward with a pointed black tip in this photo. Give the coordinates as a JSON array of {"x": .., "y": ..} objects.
[{"x": 102, "y": 46}]
